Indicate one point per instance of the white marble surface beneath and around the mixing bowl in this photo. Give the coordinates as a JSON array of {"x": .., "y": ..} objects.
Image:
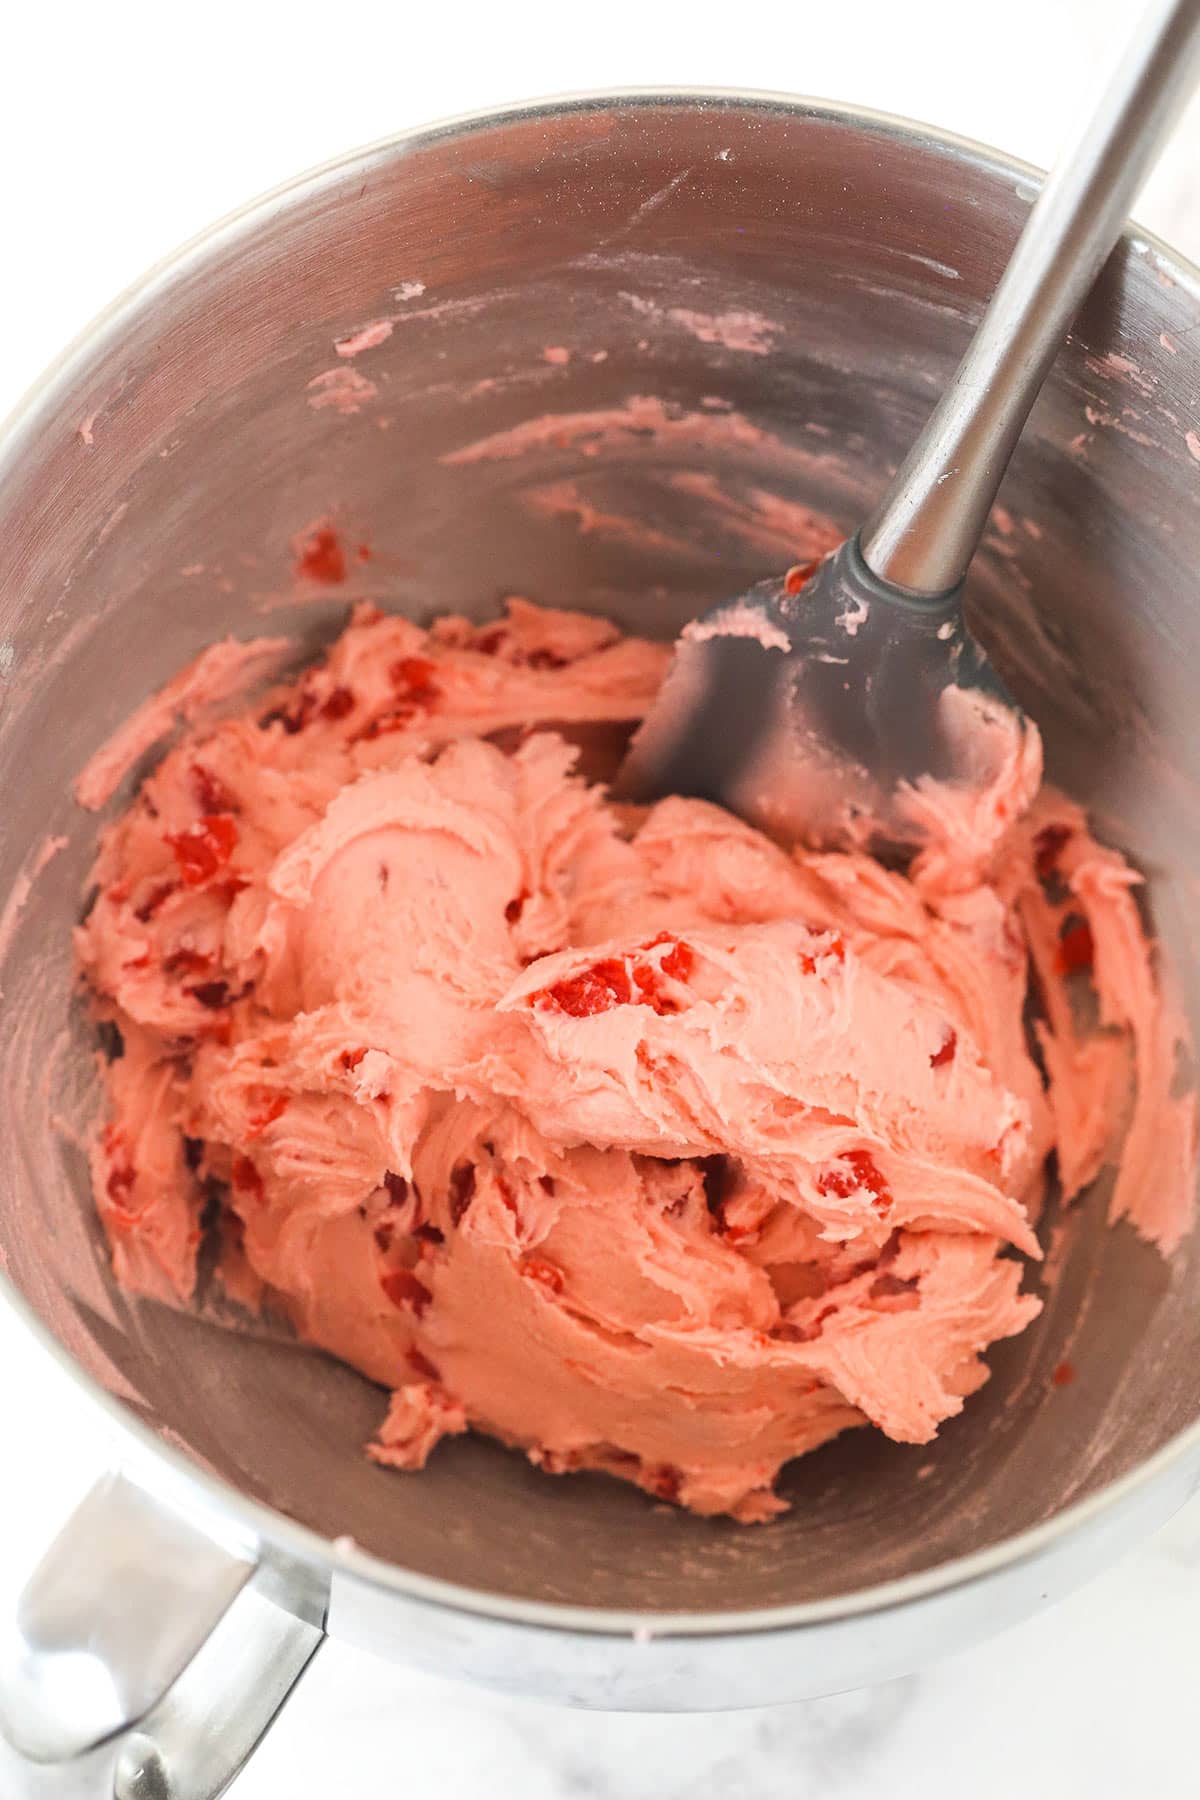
[{"x": 123, "y": 130}]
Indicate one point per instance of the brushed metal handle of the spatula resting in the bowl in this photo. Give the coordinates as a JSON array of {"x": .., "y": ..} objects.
[{"x": 927, "y": 526}]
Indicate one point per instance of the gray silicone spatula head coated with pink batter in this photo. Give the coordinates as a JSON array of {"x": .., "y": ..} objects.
[{"x": 816, "y": 705}]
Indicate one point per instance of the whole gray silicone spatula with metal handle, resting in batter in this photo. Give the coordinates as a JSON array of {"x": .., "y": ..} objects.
[{"x": 805, "y": 708}]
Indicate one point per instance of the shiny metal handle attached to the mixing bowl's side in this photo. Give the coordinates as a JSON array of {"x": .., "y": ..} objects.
[{"x": 145, "y": 1660}]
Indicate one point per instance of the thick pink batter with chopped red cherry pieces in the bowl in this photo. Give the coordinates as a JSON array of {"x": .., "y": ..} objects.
[{"x": 629, "y": 1140}]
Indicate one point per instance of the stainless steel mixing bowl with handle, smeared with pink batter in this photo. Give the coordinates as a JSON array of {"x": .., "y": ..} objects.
[{"x": 148, "y": 496}]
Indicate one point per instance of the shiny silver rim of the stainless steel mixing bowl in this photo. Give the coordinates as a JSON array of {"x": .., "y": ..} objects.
[{"x": 175, "y": 1475}]
